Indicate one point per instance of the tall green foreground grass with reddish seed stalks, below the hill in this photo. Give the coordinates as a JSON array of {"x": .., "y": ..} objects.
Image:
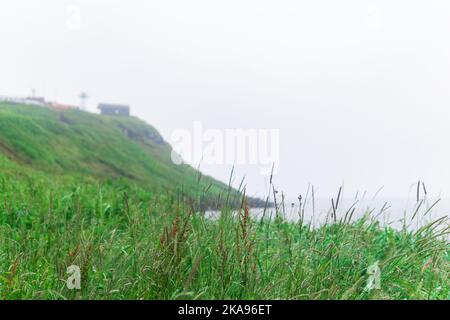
[{"x": 132, "y": 244}]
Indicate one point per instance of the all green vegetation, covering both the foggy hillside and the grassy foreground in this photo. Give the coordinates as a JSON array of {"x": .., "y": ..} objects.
[{"x": 134, "y": 241}]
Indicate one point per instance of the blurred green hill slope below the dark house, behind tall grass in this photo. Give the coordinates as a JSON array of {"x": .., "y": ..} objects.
[{"x": 104, "y": 147}]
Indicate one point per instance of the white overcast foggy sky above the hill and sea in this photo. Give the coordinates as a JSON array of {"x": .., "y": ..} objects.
[{"x": 358, "y": 89}]
